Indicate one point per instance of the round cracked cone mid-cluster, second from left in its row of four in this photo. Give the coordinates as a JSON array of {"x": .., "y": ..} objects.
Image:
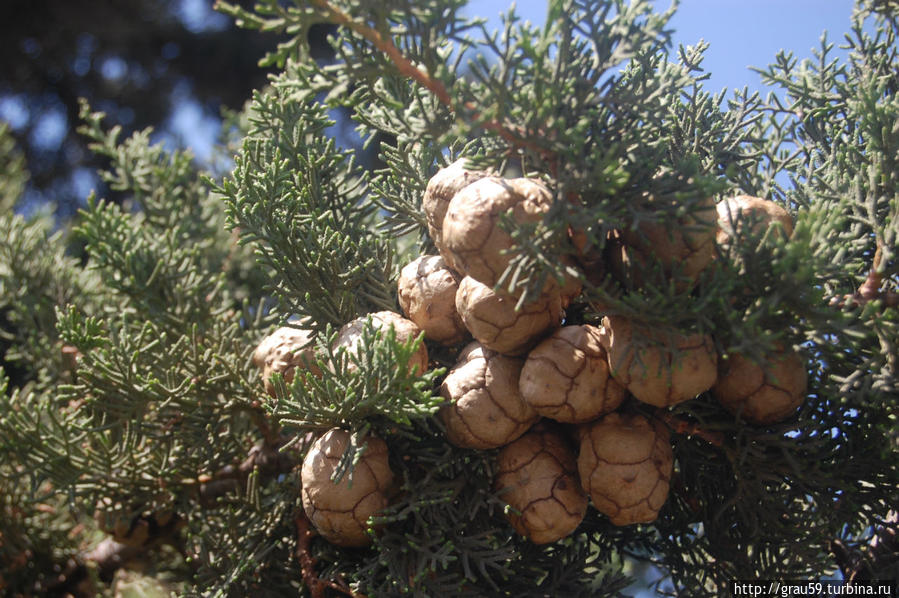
[{"x": 566, "y": 377}]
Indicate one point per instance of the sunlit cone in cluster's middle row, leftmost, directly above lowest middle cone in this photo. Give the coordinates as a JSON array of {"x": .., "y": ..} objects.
[{"x": 487, "y": 410}]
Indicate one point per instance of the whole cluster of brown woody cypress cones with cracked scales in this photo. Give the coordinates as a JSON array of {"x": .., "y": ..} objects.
[{"x": 547, "y": 394}]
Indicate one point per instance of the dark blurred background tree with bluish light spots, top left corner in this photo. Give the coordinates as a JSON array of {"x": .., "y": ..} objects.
[{"x": 139, "y": 61}]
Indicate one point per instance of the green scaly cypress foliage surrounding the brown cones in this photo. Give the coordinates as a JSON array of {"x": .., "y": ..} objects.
[{"x": 134, "y": 426}]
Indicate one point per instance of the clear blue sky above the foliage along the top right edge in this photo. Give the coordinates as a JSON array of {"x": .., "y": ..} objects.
[{"x": 741, "y": 33}]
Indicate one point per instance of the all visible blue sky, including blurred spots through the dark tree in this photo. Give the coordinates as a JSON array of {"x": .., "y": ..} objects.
[{"x": 741, "y": 33}]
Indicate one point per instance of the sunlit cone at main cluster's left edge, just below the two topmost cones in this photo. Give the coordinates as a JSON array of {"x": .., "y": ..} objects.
[{"x": 427, "y": 295}]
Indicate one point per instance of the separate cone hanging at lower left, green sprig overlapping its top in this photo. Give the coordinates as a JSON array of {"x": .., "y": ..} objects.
[{"x": 339, "y": 512}]
